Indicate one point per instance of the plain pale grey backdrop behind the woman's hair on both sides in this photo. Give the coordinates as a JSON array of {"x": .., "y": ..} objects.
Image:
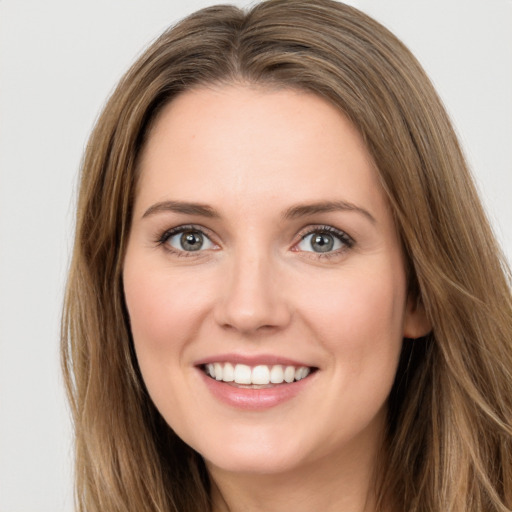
[{"x": 59, "y": 60}]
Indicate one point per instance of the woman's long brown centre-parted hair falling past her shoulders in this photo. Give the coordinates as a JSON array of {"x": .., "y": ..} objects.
[{"x": 449, "y": 440}]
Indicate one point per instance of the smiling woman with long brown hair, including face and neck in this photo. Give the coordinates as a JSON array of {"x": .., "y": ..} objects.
[{"x": 284, "y": 291}]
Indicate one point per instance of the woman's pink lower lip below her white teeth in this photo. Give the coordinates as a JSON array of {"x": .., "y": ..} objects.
[{"x": 254, "y": 399}]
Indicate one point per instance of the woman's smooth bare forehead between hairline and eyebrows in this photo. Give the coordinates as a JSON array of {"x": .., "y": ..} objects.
[{"x": 254, "y": 144}]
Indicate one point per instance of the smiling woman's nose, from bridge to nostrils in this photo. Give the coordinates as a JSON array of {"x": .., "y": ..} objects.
[{"x": 253, "y": 299}]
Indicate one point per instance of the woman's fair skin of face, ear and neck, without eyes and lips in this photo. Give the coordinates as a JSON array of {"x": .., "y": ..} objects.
[{"x": 258, "y": 286}]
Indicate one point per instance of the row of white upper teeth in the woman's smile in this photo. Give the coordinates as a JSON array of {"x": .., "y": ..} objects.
[{"x": 259, "y": 375}]
